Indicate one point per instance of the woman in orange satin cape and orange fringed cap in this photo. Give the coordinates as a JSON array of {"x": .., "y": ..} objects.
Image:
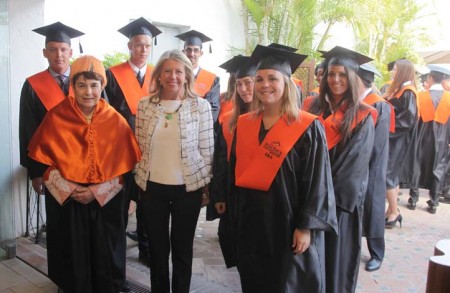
[{"x": 84, "y": 196}]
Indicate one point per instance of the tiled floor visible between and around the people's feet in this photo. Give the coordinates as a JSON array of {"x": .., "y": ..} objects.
[{"x": 404, "y": 268}]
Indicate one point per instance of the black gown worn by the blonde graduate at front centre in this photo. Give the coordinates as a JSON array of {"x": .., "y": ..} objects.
[{"x": 265, "y": 221}]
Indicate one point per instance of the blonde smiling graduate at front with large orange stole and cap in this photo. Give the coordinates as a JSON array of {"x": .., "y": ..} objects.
[{"x": 282, "y": 198}]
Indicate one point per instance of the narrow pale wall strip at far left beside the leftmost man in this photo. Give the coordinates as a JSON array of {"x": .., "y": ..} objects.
[{"x": 25, "y": 59}]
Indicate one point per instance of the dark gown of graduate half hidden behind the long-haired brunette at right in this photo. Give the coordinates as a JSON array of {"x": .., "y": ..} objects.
[{"x": 374, "y": 203}]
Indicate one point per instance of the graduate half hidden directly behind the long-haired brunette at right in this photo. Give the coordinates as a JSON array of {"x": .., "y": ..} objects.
[{"x": 374, "y": 204}]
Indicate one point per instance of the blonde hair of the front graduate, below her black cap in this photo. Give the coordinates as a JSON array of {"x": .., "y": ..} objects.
[{"x": 289, "y": 101}]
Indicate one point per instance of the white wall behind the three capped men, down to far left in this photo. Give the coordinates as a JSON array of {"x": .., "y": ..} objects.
[{"x": 99, "y": 20}]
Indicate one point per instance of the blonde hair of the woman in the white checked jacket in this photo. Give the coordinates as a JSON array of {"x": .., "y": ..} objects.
[{"x": 155, "y": 84}]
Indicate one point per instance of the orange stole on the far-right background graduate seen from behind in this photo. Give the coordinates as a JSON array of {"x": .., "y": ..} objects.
[{"x": 427, "y": 111}]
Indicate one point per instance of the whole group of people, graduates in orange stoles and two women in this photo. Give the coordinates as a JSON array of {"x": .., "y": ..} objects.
[{"x": 296, "y": 180}]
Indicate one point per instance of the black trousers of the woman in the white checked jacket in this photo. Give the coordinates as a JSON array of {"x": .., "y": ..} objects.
[{"x": 162, "y": 204}]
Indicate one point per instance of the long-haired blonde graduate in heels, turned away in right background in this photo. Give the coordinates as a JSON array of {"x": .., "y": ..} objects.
[{"x": 401, "y": 94}]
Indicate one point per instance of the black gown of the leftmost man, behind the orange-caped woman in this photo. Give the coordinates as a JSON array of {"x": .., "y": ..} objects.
[{"x": 31, "y": 114}]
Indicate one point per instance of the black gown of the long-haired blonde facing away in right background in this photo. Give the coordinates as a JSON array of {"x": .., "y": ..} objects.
[{"x": 400, "y": 142}]
